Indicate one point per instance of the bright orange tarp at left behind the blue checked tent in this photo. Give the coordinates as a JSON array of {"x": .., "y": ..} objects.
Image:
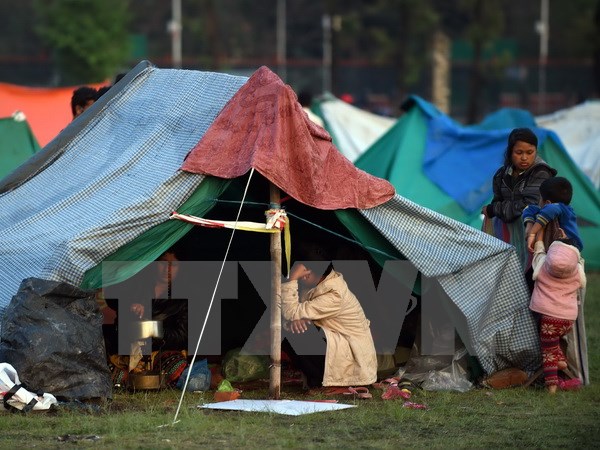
[{"x": 48, "y": 110}]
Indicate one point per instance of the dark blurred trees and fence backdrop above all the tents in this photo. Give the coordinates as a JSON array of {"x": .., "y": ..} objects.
[{"x": 381, "y": 48}]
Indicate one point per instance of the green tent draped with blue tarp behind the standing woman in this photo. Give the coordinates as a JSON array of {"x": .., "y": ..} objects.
[{"x": 447, "y": 167}]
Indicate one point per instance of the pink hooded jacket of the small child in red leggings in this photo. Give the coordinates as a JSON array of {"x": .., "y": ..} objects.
[{"x": 556, "y": 285}]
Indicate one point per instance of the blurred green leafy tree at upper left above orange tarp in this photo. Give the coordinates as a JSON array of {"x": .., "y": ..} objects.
[{"x": 89, "y": 37}]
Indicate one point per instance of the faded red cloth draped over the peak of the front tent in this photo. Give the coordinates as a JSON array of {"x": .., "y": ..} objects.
[{"x": 263, "y": 126}]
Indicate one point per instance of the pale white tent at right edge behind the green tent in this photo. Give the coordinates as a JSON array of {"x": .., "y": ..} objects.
[{"x": 579, "y": 131}]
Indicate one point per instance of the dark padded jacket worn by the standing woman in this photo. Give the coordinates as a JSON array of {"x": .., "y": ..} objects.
[{"x": 512, "y": 195}]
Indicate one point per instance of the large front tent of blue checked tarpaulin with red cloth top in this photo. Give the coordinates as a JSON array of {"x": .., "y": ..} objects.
[{"x": 164, "y": 140}]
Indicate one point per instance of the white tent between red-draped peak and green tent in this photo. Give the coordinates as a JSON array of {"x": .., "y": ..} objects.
[{"x": 353, "y": 129}]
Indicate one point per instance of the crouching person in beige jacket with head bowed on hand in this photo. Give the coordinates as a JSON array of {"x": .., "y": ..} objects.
[{"x": 350, "y": 358}]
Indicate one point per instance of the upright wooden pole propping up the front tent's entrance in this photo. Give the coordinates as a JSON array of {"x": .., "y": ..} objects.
[{"x": 275, "y": 373}]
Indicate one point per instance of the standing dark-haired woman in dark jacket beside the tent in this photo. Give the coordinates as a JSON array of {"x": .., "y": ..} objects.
[{"x": 516, "y": 184}]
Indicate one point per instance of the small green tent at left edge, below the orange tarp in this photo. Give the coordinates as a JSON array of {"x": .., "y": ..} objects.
[{"x": 17, "y": 143}]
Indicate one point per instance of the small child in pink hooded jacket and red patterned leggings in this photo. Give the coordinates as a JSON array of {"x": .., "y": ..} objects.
[{"x": 558, "y": 276}]
